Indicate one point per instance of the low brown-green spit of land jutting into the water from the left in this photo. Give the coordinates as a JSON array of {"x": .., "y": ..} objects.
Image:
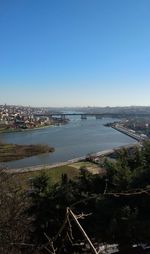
[{"x": 10, "y": 152}]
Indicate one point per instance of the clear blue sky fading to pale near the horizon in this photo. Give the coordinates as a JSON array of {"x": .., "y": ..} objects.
[{"x": 75, "y": 52}]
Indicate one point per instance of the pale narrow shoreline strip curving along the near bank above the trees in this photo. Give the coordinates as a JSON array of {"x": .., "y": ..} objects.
[{"x": 59, "y": 164}]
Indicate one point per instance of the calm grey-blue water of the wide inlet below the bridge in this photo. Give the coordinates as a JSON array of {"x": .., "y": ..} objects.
[{"x": 75, "y": 139}]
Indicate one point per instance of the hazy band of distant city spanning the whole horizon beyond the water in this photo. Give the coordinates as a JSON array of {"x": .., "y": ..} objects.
[{"x": 15, "y": 118}]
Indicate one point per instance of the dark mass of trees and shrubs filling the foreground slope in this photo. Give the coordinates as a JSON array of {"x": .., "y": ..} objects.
[{"x": 115, "y": 208}]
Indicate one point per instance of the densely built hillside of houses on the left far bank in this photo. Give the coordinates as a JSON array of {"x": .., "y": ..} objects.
[{"x": 20, "y": 117}]
